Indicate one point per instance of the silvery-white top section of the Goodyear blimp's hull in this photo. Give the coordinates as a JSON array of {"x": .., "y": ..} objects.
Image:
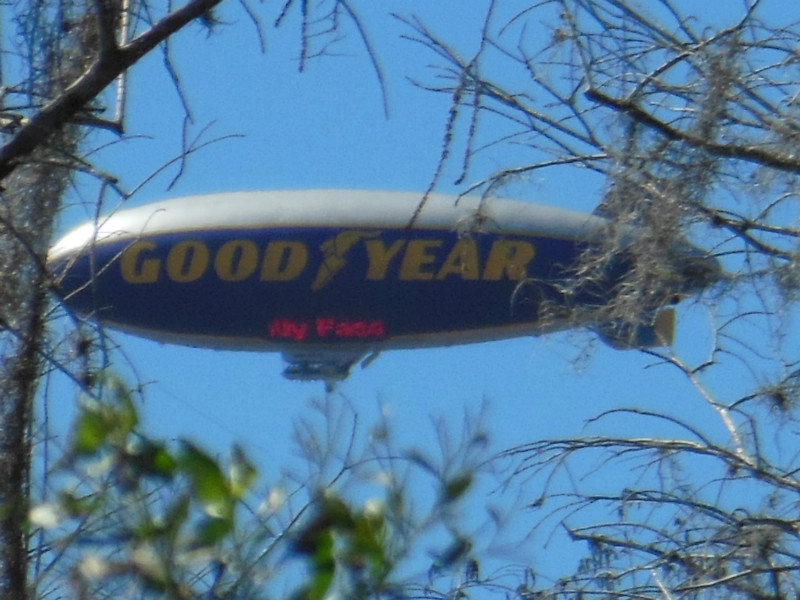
[{"x": 332, "y": 208}]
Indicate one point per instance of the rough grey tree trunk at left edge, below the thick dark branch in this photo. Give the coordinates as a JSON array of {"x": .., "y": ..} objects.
[{"x": 29, "y": 206}]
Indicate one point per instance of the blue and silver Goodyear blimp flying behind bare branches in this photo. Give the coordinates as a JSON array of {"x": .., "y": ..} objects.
[{"x": 330, "y": 278}]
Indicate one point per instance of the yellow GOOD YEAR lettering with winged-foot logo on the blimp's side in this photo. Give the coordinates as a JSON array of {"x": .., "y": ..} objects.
[{"x": 418, "y": 259}]
